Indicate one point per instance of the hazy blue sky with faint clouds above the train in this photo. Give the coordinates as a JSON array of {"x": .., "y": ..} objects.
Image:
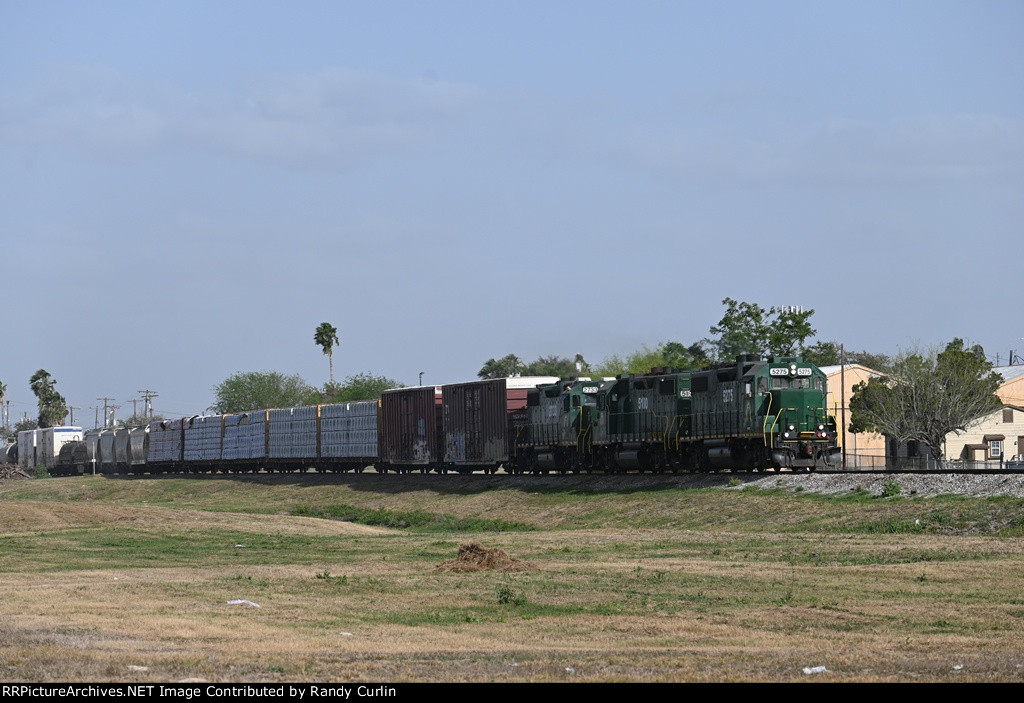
[{"x": 188, "y": 190}]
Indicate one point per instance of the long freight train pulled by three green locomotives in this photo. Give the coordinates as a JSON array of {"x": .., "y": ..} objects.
[{"x": 751, "y": 415}]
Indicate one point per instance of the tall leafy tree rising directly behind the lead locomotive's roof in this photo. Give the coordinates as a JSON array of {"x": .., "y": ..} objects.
[{"x": 748, "y": 329}]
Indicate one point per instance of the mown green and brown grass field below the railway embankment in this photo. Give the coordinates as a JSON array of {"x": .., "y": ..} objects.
[{"x": 621, "y": 580}]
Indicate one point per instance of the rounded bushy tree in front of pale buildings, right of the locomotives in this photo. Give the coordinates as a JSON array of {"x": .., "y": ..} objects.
[{"x": 927, "y": 397}]
